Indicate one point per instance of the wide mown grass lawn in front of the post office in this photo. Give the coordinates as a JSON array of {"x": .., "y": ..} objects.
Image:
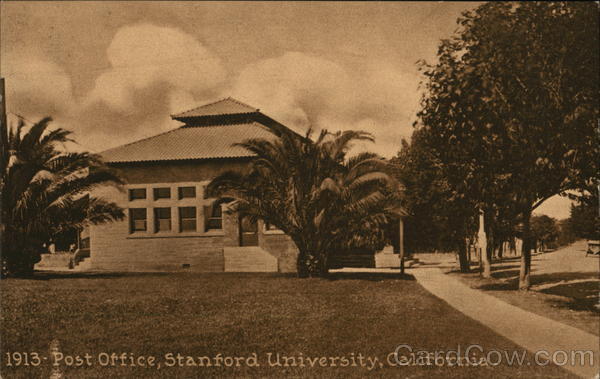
[{"x": 237, "y": 315}]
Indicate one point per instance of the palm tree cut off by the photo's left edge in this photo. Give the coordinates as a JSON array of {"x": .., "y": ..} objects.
[{"x": 45, "y": 191}]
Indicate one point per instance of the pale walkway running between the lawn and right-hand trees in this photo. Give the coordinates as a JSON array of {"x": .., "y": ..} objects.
[{"x": 531, "y": 331}]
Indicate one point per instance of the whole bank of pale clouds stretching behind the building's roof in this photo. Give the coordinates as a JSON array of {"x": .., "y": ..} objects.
[{"x": 157, "y": 71}]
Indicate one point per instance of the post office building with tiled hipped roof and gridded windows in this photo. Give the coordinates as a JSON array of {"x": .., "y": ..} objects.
[{"x": 171, "y": 225}]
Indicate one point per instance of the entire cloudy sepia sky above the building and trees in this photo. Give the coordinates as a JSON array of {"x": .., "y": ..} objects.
[{"x": 113, "y": 72}]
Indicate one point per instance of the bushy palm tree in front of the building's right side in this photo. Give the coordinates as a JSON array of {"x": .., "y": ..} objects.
[{"x": 325, "y": 201}]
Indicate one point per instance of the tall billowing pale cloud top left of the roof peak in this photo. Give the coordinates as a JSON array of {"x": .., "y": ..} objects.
[{"x": 143, "y": 55}]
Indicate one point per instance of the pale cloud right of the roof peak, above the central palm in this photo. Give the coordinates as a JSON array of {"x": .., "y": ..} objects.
[{"x": 299, "y": 89}]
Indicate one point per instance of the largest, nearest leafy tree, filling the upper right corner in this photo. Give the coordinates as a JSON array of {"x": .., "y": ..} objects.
[{"x": 513, "y": 102}]
